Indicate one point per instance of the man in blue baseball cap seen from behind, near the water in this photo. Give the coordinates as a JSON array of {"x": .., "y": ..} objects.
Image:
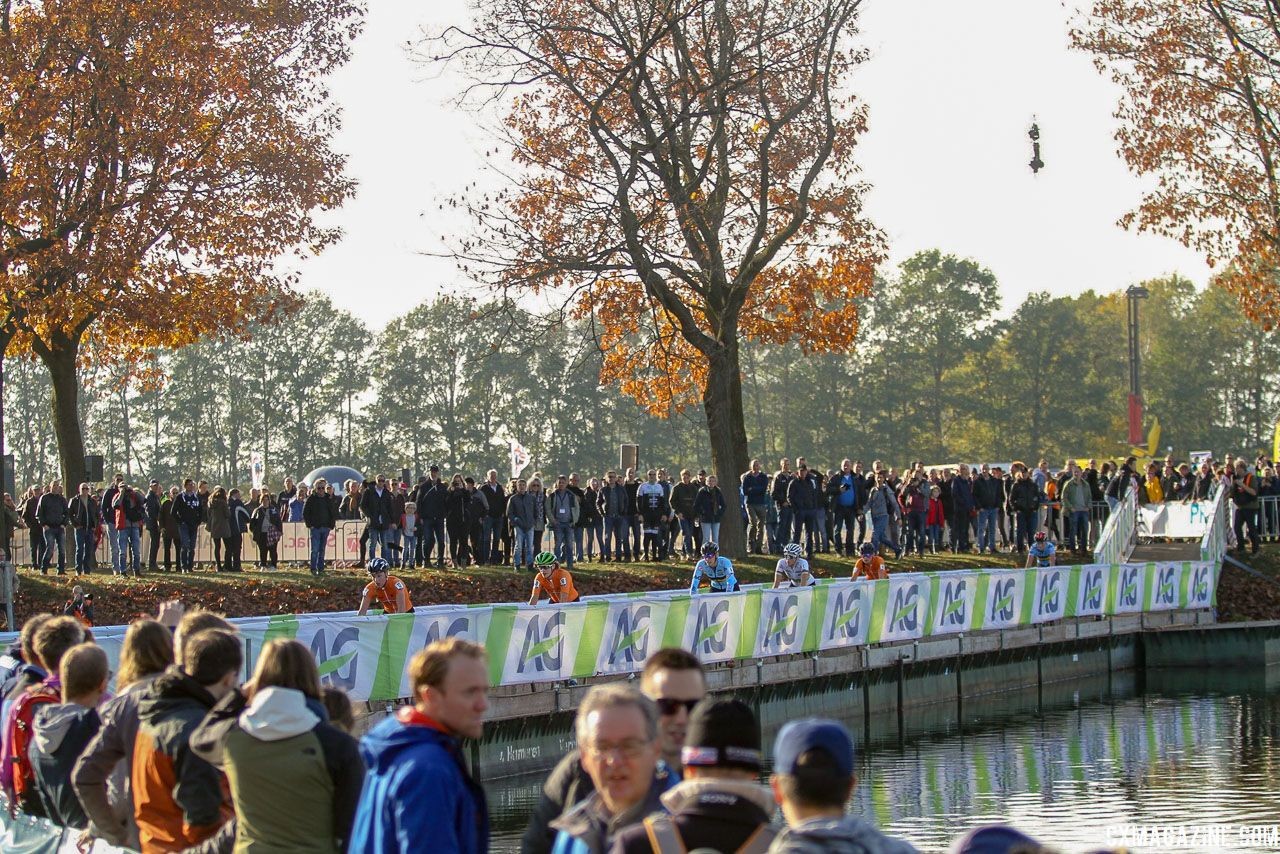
[{"x": 813, "y": 778}]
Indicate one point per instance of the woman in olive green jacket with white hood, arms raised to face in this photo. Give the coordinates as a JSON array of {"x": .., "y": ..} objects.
[{"x": 295, "y": 778}]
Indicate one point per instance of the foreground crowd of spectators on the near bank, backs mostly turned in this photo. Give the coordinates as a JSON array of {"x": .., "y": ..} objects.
[{"x": 180, "y": 756}]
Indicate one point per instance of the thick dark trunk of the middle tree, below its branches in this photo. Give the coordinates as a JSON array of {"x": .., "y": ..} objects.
[{"x": 723, "y": 400}]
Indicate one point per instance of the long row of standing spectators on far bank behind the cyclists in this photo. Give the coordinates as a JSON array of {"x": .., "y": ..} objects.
[{"x": 623, "y": 518}]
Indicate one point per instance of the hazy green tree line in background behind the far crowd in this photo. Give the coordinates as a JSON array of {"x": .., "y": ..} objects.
[{"x": 939, "y": 373}]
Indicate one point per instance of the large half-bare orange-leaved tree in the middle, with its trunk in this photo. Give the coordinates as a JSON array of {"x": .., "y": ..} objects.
[{"x": 684, "y": 176}]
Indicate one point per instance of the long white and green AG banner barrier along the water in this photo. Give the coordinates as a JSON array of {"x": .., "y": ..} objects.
[{"x": 615, "y": 634}]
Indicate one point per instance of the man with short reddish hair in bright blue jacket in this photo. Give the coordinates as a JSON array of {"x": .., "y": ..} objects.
[{"x": 418, "y": 794}]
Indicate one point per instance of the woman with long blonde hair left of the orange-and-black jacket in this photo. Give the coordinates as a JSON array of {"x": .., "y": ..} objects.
[{"x": 103, "y": 774}]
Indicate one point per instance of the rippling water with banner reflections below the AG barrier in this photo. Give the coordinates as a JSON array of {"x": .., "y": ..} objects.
[{"x": 1067, "y": 765}]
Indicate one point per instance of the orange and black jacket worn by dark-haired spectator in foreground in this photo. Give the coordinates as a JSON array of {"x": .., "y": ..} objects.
[{"x": 179, "y": 800}]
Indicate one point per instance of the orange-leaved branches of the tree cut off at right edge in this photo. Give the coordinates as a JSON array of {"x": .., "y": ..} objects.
[{"x": 1200, "y": 113}]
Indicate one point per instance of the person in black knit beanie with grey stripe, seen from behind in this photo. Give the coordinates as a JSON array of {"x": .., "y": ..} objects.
[{"x": 719, "y": 805}]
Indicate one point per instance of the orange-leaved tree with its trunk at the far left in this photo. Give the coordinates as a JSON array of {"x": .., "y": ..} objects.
[{"x": 158, "y": 157}]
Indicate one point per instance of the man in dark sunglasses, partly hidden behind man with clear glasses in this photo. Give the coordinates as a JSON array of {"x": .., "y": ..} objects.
[{"x": 674, "y": 681}]
